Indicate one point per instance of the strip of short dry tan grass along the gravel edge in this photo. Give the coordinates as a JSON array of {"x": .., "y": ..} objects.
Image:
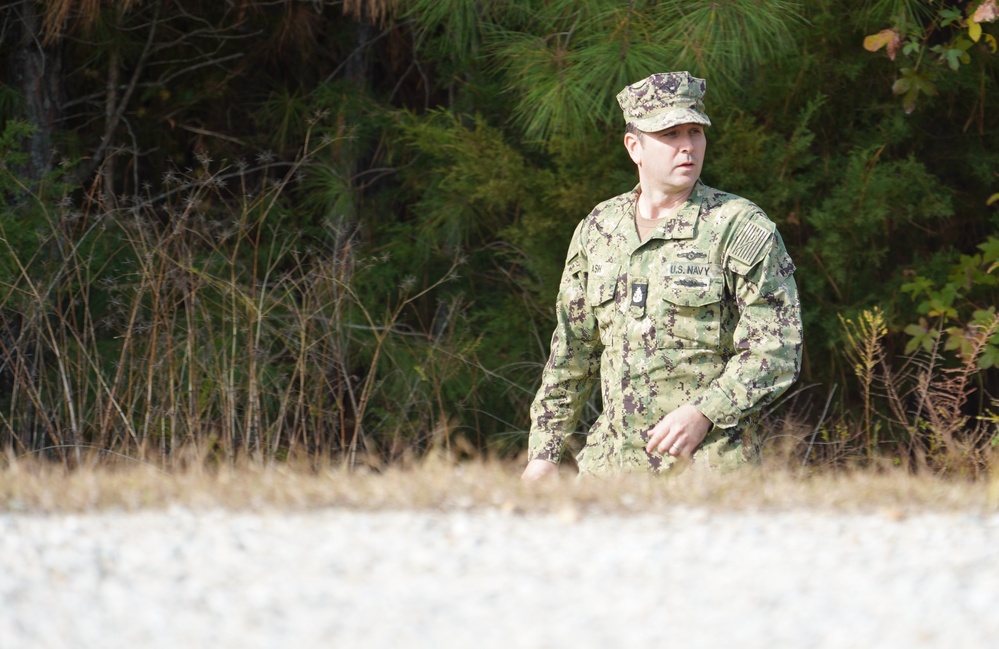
[{"x": 40, "y": 488}]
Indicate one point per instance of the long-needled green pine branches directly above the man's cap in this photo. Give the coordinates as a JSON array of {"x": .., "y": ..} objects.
[{"x": 568, "y": 62}]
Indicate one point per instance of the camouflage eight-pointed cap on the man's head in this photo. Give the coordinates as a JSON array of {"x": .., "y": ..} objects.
[{"x": 664, "y": 100}]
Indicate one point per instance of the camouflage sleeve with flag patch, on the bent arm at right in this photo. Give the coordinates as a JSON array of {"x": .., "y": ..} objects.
[{"x": 768, "y": 336}]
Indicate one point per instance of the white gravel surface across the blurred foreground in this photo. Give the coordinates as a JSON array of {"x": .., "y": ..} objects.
[{"x": 339, "y": 578}]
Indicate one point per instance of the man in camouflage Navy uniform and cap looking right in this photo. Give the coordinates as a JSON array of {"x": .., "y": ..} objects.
[{"x": 679, "y": 297}]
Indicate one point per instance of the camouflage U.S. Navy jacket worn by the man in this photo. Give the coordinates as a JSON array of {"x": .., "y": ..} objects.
[{"x": 705, "y": 312}]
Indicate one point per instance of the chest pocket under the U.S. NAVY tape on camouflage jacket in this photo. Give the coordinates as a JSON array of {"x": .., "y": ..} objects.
[{"x": 692, "y": 311}]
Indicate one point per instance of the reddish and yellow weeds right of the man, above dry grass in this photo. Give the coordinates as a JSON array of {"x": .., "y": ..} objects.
[{"x": 913, "y": 411}]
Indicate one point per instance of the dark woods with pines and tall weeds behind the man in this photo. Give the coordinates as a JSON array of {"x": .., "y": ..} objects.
[{"x": 334, "y": 230}]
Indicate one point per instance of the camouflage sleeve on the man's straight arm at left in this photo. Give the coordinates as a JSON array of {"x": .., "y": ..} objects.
[{"x": 572, "y": 366}]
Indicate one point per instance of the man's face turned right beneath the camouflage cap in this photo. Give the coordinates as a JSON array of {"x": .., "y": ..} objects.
[{"x": 669, "y": 161}]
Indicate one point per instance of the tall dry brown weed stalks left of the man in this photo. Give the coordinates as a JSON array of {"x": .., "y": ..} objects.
[{"x": 195, "y": 325}]
